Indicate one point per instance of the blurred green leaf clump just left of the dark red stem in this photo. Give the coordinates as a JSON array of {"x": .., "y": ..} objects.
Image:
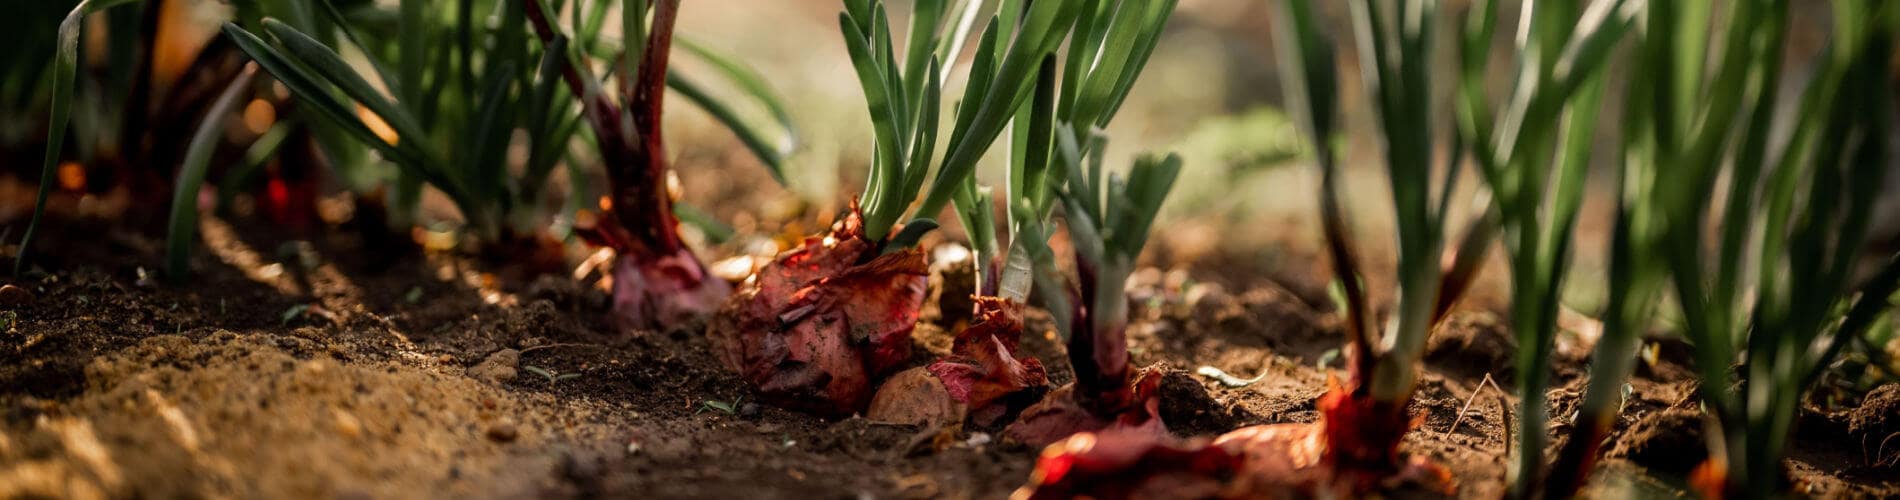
[{"x": 470, "y": 85}]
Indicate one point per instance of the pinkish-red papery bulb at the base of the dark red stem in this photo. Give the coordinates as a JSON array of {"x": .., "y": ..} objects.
[{"x": 670, "y": 292}]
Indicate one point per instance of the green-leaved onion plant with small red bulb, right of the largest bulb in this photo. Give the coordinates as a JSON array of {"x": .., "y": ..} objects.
[{"x": 1107, "y": 52}]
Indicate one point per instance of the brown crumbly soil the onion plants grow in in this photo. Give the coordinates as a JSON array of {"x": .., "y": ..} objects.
[{"x": 292, "y": 370}]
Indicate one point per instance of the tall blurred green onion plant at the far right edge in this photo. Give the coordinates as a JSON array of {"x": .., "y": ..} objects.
[{"x": 1770, "y": 298}]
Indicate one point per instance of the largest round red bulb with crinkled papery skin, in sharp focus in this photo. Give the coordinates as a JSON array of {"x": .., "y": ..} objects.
[{"x": 820, "y": 324}]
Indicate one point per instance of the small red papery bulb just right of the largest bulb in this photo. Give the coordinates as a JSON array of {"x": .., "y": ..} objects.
[{"x": 983, "y": 370}]
